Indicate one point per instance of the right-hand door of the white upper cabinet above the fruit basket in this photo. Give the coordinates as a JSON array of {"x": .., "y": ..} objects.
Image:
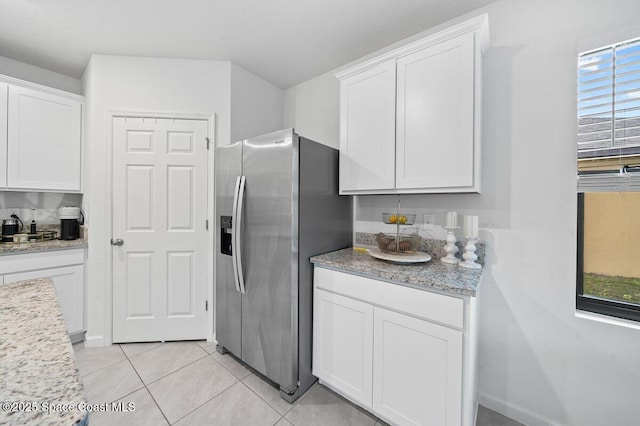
[{"x": 435, "y": 113}]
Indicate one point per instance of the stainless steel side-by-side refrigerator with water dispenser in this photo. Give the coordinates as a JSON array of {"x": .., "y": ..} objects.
[{"x": 277, "y": 204}]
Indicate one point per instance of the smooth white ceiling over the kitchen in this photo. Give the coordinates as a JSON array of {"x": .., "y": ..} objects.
[{"x": 283, "y": 41}]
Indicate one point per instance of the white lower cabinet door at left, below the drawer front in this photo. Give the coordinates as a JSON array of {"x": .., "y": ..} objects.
[{"x": 69, "y": 284}]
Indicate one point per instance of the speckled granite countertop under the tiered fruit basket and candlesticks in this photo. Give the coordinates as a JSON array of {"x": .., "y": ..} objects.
[{"x": 432, "y": 275}]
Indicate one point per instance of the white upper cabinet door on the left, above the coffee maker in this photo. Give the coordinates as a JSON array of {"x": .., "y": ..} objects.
[{"x": 44, "y": 141}]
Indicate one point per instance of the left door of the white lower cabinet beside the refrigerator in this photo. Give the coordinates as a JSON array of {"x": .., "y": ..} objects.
[{"x": 343, "y": 345}]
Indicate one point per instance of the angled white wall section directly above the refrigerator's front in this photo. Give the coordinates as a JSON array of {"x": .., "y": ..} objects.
[{"x": 256, "y": 105}]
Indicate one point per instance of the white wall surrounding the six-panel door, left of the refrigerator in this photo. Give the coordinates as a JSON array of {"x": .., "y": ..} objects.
[{"x": 118, "y": 83}]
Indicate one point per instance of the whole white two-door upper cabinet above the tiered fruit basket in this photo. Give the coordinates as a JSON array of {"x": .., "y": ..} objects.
[{"x": 424, "y": 136}]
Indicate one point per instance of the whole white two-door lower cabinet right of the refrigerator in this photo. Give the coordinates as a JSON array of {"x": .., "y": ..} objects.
[{"x": 401, "y": 364}]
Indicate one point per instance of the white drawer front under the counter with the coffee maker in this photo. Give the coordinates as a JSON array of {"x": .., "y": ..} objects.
[{"x": 34, "y": 261}]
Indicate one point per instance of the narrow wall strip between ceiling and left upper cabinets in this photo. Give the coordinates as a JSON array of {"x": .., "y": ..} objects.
[{"x": 17, "y": 69}]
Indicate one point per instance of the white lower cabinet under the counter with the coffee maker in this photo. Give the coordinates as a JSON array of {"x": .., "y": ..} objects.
[{"x": 66, "y": 269}]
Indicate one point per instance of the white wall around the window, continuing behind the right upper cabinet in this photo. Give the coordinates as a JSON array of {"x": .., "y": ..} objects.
[{"x": 539, "y": 363}]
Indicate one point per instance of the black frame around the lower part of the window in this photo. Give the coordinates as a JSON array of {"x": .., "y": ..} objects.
[{"x": 613, "y": 308}]
